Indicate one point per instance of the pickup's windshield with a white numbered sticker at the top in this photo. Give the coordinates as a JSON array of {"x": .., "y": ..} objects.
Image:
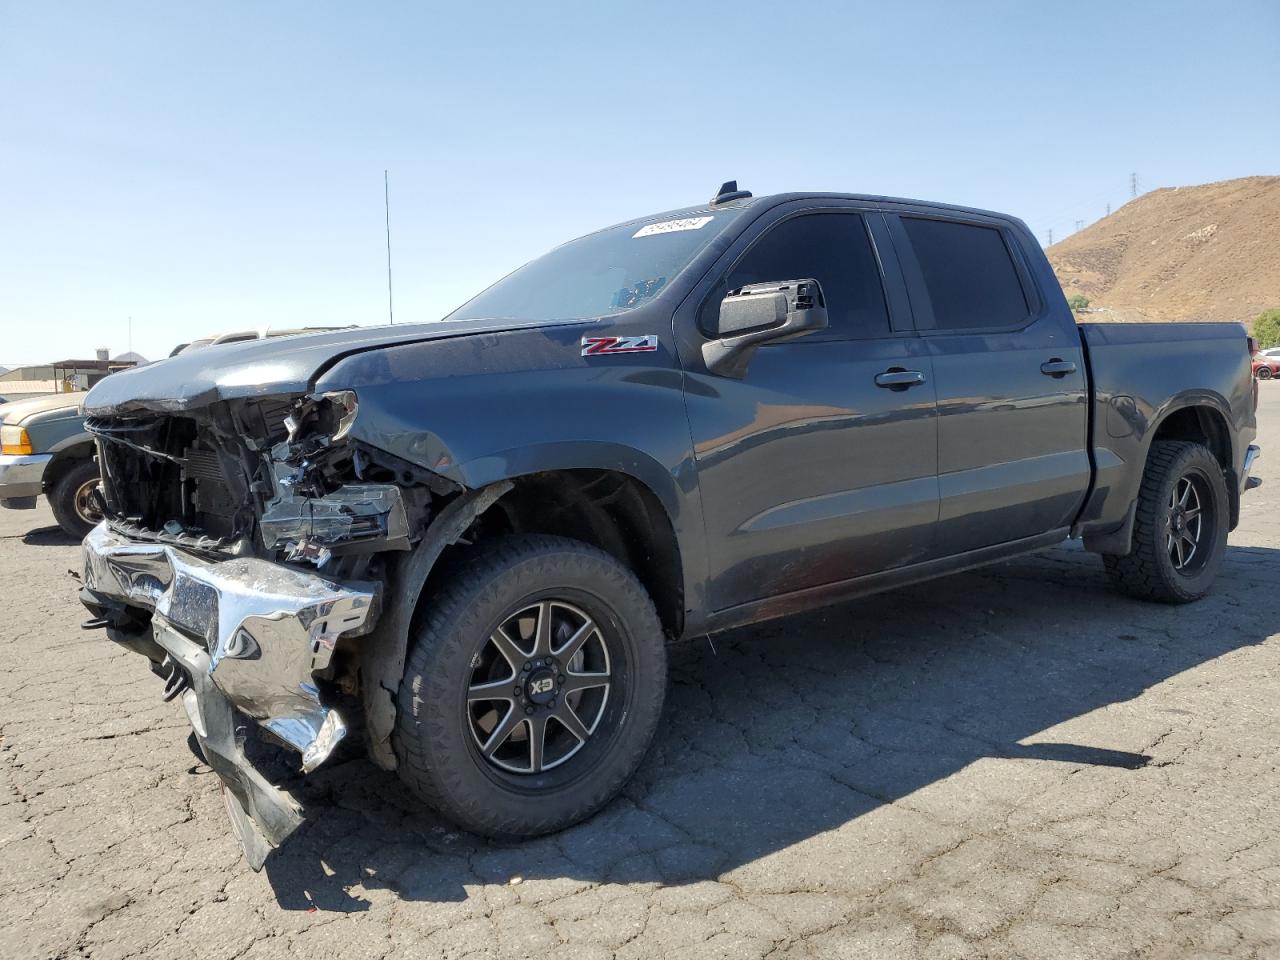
[{"x": 604, "y": 273}]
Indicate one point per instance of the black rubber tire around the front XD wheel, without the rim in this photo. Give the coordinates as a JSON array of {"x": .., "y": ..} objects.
[{"x": 436, "y": 747}]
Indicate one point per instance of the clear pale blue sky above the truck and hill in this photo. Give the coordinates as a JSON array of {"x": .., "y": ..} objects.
[{"x": 216, "y": 167}]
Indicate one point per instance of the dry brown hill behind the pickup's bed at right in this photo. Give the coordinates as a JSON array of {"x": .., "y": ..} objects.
[{"x": 1209, "y": 253}]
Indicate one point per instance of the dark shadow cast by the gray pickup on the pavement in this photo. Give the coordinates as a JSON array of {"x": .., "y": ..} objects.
[{"x": 797, "y": 728}]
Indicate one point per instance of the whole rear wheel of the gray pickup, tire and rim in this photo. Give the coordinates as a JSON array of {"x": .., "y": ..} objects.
[{"x": 1181, "y": 528}]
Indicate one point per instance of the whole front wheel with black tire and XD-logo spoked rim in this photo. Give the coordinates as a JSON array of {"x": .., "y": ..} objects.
[{"x": 533, "y": 688}]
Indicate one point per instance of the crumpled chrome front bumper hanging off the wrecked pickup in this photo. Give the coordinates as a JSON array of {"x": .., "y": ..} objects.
[{"x": 248, "y": 637}]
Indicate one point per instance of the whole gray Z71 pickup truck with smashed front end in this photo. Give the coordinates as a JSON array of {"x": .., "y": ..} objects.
[{"x": 470, "y": 541}]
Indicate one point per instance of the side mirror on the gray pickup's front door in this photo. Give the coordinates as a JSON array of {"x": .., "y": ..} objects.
[{"x": 762, "y": 313}]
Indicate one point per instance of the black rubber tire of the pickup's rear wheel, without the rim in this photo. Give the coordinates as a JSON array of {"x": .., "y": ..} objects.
[{"x": 1149, "y": 572}]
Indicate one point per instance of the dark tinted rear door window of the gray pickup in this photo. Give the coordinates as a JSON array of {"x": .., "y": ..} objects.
[{"x": 970, "y": 275}]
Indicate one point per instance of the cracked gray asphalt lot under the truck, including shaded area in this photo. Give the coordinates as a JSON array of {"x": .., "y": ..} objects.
[{"x": 1008, "y": 764}]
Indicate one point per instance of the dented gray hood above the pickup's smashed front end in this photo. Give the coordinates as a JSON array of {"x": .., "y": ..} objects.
[{"x": 284, "y": 365}]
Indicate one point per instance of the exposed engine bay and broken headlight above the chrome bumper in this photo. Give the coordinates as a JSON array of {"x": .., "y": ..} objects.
[{"x": 273, "y": 478}]
